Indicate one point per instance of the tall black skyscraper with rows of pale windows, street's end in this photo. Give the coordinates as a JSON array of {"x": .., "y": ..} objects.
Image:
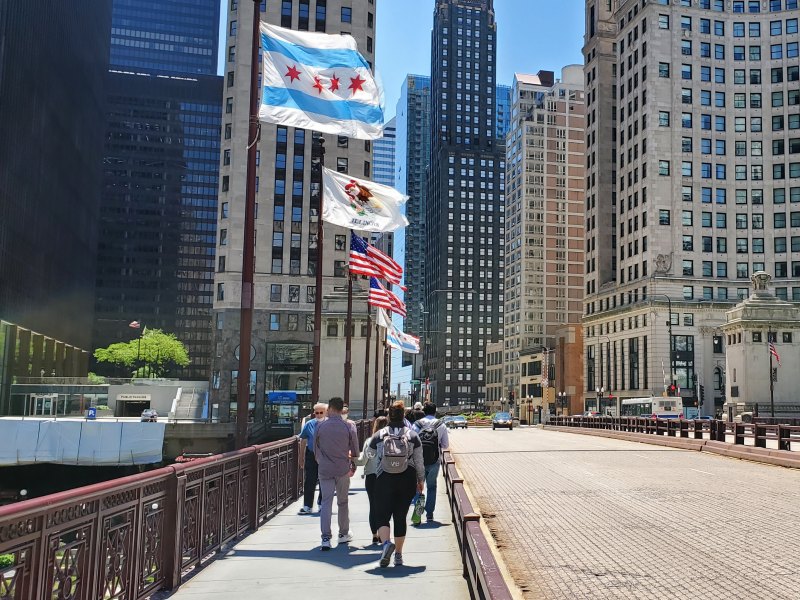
[{"x": 464, "y": 268}]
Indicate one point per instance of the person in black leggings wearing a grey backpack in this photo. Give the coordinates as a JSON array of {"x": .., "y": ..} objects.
[{"x": 400, "y": 473}]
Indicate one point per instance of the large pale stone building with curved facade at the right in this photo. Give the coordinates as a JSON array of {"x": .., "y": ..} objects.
[{"x": 698, "y": 103}]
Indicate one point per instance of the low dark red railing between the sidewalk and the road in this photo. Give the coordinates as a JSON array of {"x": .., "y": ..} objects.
[{"x": 484, "y": 578}]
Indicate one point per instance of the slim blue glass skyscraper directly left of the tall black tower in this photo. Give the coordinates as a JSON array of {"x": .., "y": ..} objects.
[{"x": 412, "y": 157}]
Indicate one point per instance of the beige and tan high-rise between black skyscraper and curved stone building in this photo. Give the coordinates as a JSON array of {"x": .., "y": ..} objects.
[{"x": 544, "y": 217}]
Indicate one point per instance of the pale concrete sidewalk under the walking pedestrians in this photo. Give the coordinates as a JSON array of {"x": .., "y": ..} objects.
[{"x": 283, "y": 560}]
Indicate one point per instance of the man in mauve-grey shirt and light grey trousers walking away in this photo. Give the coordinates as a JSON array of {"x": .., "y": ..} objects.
[{"x": 335, "y": 442}]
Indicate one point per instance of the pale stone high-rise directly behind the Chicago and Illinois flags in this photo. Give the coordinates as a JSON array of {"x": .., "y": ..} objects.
[{"x": 286, "y": 232}]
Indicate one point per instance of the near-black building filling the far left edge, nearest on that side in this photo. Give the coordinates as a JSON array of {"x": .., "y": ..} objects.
[{"x": 52, "y": 64}]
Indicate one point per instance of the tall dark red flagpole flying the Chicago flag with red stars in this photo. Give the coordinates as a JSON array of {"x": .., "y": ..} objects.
[{"x": 248, "y": 250}]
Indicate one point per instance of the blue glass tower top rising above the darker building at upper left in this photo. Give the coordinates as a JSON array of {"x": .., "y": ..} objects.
[{"x": 169, "y": 36}]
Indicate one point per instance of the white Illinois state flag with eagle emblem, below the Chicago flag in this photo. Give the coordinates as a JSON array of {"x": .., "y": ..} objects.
[{"x": 360, "y": 204}]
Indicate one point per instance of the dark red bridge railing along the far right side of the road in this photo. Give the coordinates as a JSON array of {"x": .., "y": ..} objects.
[{"x": 755, "y": 434}]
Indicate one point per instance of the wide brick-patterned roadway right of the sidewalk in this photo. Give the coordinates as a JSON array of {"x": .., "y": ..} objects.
[{"x": 577, "y": 516}]
